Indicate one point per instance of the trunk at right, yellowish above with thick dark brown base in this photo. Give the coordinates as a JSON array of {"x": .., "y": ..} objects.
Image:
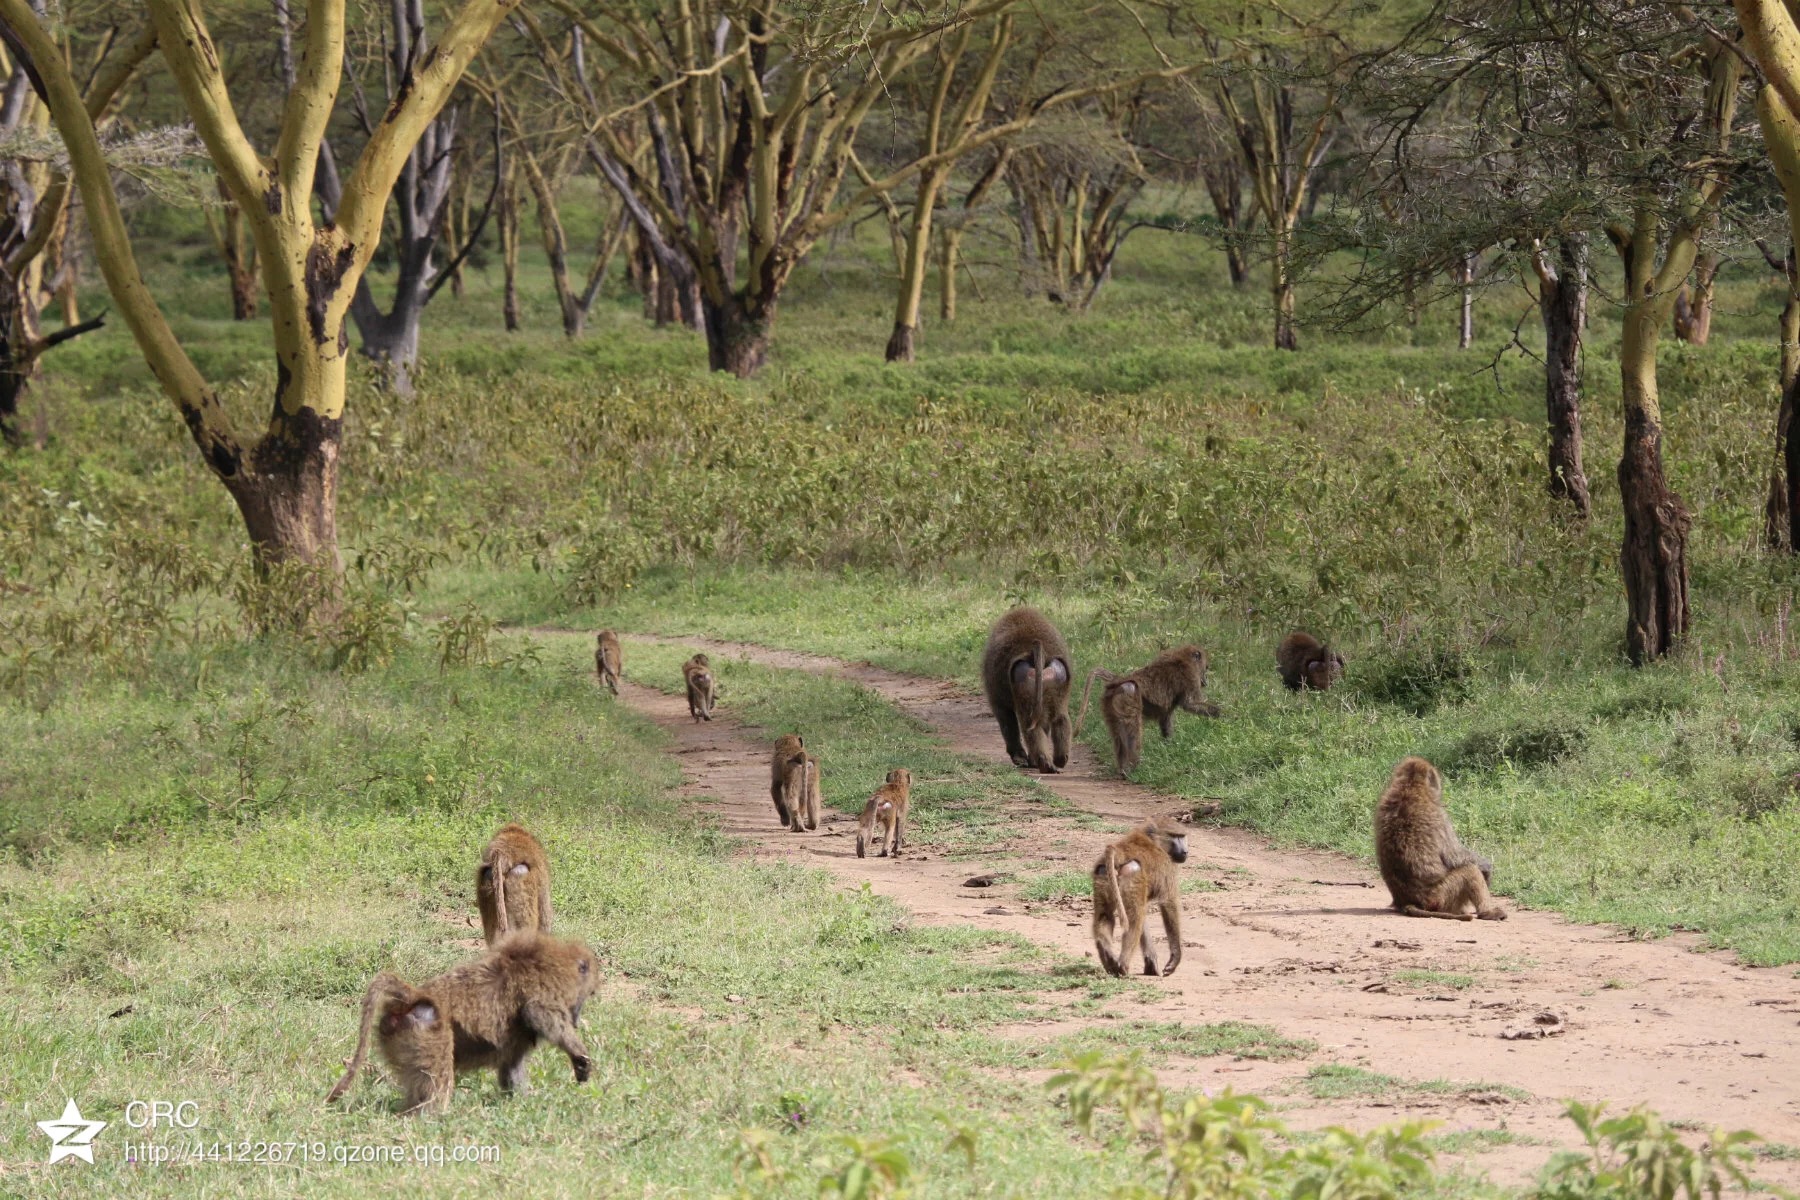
[{"x": 1655, "y": 550}]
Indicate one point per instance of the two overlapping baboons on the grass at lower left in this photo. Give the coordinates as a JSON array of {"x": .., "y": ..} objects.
[{"x": 494, "y": 1010}]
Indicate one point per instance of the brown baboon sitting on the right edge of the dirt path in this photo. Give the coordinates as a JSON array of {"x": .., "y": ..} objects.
[{"x": 1426, "y": 868}]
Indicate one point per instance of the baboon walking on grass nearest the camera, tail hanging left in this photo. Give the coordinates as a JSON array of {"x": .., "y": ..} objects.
[{"x": 485, "y": 1014}]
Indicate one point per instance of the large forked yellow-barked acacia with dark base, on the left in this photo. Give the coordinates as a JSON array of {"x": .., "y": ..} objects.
[{"x": 285, "y": 481}]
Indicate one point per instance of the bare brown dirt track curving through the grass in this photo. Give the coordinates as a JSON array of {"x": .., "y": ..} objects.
[{"x": 1302, "y": 942}]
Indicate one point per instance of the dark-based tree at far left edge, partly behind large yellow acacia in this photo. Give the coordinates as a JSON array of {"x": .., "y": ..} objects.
[{"x": 35, "y": 208}]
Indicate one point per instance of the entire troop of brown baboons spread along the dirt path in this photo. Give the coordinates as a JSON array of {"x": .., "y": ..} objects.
[{"x": 530, "y": 987}]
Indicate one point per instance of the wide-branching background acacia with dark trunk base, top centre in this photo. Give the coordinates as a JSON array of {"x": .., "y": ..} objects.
[{"x": 753, "y": 114}]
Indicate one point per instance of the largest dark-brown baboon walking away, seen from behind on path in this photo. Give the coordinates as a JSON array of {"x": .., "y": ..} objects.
[{"x": 1027, "y": 676}]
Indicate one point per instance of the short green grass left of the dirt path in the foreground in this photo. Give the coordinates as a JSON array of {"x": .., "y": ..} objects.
[{"x": 219, "y": 956}]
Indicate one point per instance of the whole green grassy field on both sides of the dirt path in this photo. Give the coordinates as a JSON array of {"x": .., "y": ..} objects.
[{"x": 210, "y": 839}]
